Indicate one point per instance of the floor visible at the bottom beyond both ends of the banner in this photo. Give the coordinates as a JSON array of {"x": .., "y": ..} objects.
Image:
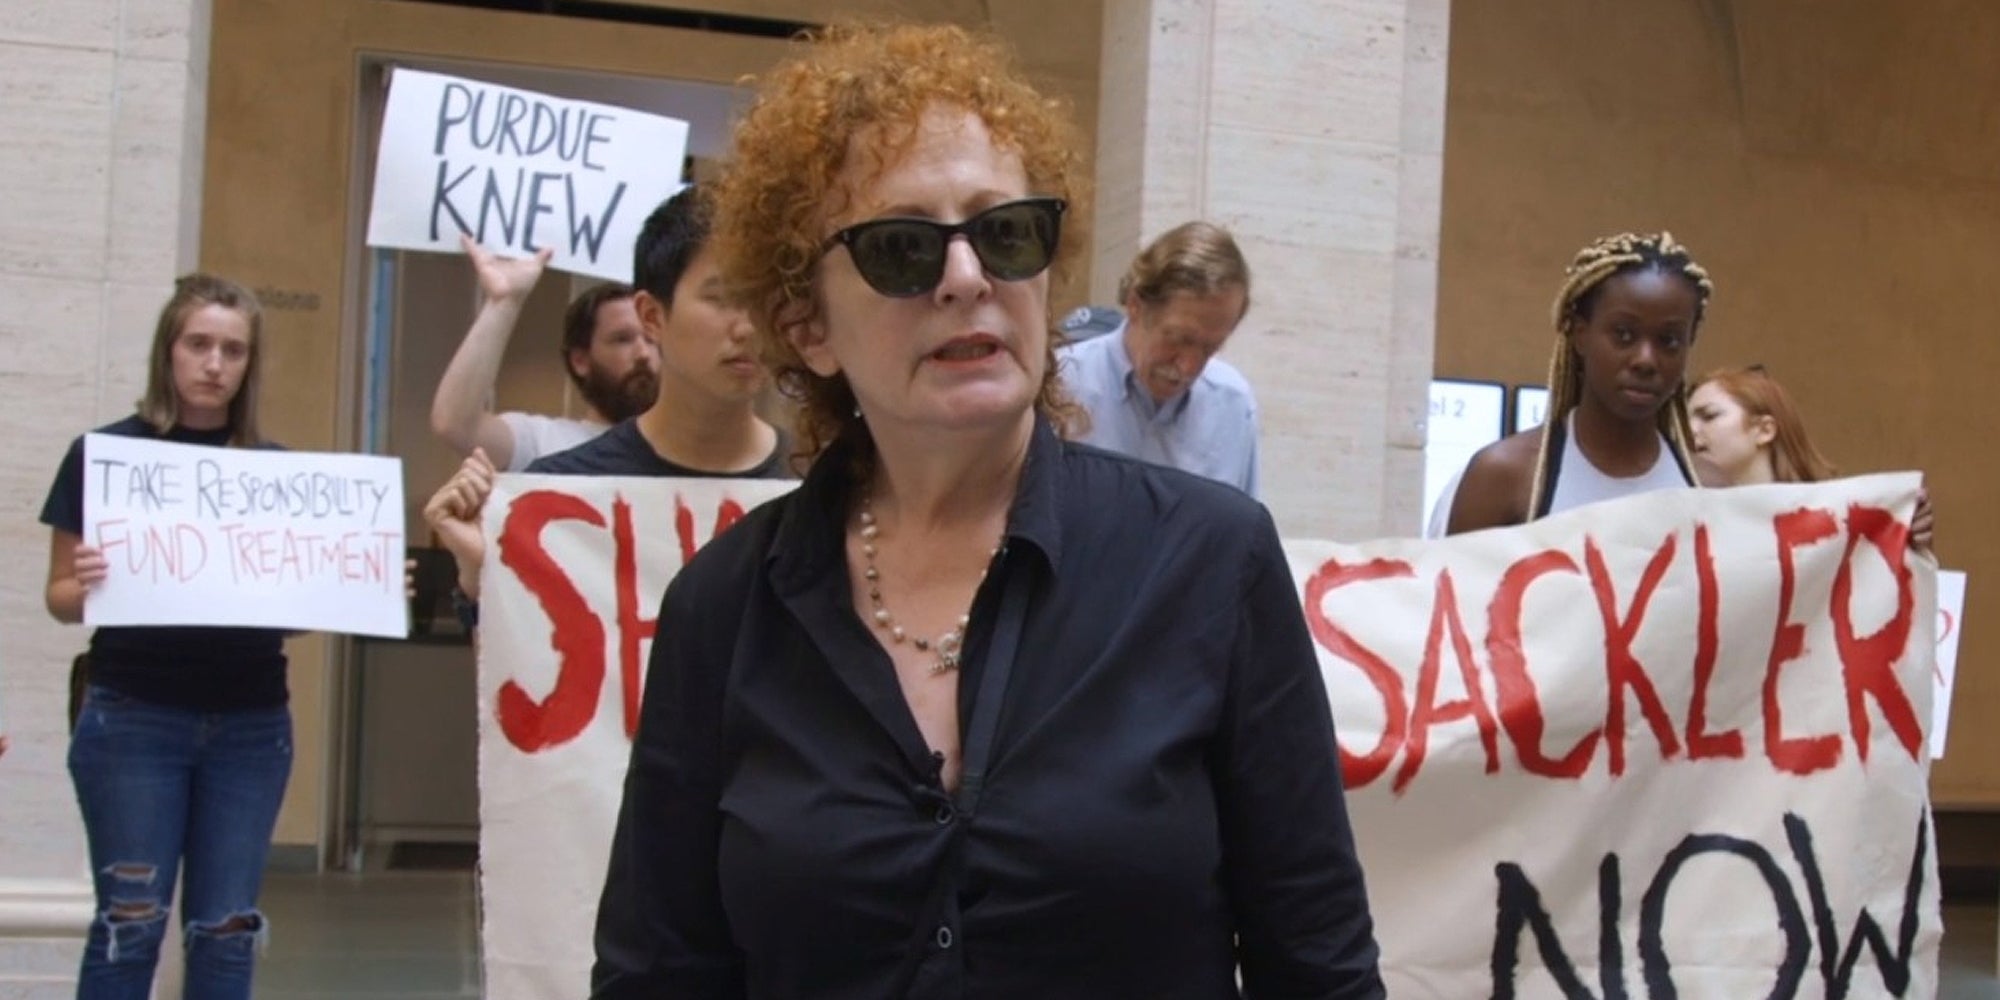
[{"x": 413, "y": 937}]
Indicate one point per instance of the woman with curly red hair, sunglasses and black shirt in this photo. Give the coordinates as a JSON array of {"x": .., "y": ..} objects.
[{"x": 975, "y": 711}]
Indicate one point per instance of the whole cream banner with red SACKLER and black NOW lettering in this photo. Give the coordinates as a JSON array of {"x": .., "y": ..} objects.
[{"x": 1663, "y": 747}]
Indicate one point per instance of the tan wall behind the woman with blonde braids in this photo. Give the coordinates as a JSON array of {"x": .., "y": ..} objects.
[{"x": 1831, "y": 163}]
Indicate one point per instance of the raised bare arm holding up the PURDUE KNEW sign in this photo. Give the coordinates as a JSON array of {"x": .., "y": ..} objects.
[{"x": 459, "y": 411}]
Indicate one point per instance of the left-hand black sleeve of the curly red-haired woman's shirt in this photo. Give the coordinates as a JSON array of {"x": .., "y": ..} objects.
[{"x": 661, "y": 925}]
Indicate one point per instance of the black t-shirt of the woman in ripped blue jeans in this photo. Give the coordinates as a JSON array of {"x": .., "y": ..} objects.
[{"x": 183, "y": 667}]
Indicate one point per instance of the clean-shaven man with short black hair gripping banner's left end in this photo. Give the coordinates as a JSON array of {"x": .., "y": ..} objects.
[{"x": 703, "y": 423}]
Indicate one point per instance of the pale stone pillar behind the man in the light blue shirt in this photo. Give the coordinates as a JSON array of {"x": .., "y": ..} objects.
[{"x": 1313, "y": 133}]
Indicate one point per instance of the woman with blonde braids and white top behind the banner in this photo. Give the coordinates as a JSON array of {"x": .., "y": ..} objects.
[{"x": 1617, "y": 415}]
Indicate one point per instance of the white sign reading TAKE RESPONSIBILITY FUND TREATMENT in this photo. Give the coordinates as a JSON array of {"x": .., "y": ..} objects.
[{"x": 245, "y": 537}]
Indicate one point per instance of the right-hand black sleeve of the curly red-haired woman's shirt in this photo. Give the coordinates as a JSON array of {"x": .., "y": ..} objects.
[{"x": 1295, "y": 883}]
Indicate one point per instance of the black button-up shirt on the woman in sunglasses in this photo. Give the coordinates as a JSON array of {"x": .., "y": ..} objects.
[{"x": 1161, "y": 803}]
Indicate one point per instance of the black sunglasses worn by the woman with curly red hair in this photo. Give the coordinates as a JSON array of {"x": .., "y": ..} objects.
[{"x": 903, "y": 257}]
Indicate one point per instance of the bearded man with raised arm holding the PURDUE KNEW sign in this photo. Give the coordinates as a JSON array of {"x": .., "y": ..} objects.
[{"x": 605, "y": 351}]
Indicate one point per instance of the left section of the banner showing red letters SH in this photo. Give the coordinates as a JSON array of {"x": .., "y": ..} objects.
[{"x": 573, "y": 581}]
